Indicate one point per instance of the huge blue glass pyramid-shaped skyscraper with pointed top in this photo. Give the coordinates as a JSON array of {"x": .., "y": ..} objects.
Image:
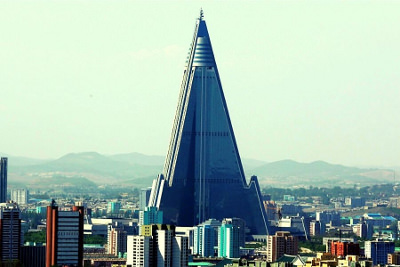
[{"x": 203, "y": 176}]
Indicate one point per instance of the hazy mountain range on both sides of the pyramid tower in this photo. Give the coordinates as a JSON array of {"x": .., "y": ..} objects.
[{"x": 138, "y": 170}]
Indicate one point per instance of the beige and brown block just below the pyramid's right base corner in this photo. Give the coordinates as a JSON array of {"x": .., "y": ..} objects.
[{"x": 281, "y": 243}]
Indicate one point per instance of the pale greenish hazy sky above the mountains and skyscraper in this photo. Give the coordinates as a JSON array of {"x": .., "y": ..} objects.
[{"x": 303, "y": 80}]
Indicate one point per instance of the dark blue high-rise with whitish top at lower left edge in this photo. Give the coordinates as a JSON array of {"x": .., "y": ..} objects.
[{"x": 10, "y": 232}]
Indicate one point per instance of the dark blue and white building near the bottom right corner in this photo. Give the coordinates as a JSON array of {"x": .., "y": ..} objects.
[{"x": 378, "y": 250}]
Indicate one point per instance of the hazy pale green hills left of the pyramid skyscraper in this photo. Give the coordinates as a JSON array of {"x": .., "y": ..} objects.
[{"x": 92, "y": 166}]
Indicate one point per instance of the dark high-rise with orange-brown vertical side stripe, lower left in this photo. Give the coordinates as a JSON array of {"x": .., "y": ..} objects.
[{"x": 64, "y": 236}]
